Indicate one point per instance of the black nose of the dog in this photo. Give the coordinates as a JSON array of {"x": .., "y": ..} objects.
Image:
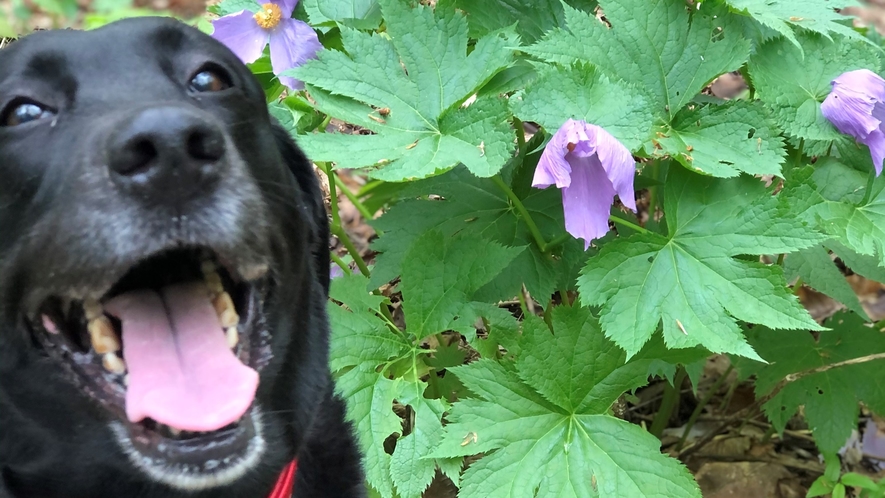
[{"x": 167, "y": 154}]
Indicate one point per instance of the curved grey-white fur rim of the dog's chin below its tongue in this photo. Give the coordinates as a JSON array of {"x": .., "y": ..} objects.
[{"x": 185, "y": 480}]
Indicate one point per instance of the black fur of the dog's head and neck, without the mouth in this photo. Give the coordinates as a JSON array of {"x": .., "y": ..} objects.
[{"x": 70, "y": 222}]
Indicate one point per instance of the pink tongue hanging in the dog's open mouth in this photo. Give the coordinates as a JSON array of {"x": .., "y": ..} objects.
[{"x": 182, "y": 372}]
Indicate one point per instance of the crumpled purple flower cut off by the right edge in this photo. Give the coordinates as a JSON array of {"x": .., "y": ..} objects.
[{"x": 856, "y": 106}]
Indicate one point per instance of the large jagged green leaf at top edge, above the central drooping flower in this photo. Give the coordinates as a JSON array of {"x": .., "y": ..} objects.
[{"x": 654, "y": 44}]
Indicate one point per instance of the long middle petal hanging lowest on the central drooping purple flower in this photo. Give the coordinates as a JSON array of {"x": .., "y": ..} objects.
[{"x": 587, "y": 201}]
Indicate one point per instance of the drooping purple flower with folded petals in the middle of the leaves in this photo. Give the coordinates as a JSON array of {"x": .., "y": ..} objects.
[{"x": 590, "y": 166}]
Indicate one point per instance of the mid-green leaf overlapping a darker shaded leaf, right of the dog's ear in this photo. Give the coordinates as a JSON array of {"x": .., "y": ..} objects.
[{"x": 441, "y": 274}]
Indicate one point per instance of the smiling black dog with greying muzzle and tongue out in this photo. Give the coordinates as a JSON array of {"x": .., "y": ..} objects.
[{"x": 163, "y": 277}]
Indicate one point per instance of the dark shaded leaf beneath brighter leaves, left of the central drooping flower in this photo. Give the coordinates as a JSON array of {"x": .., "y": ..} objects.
[{"x": 472, "y": 206}]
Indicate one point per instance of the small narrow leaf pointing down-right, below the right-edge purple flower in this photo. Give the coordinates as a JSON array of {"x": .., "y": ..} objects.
[{"x": 818, "y": 271}]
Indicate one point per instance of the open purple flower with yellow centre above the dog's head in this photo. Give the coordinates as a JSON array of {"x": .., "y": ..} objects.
[{"x": 292, "y": 42}]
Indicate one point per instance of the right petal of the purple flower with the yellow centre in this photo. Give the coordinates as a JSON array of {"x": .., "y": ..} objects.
[{"x": 292, "y": 43}]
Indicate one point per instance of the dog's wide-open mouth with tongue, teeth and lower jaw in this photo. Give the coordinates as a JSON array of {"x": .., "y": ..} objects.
[{"x": 172, "y": 350}]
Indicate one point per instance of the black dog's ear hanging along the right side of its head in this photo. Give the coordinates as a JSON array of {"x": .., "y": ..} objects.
[{"x": 304, "y": 174}]
